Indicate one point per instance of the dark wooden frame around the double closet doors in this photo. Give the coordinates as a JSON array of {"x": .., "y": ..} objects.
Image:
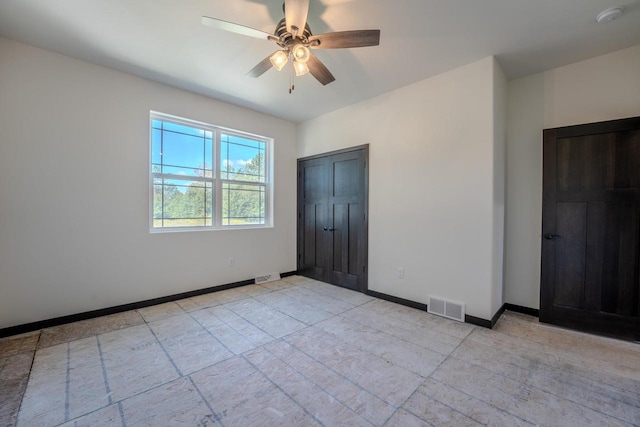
[{"x": 364, "y": 285}]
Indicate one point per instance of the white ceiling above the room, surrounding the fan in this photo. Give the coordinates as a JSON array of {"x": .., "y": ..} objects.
[{"x": 163, "y": 40}]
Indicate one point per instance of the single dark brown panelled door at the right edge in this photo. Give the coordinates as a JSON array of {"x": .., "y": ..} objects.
[{"x": 591, "y": 228}]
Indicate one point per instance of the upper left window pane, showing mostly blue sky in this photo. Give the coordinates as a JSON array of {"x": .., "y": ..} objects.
[{"x": 181, "y": 150}]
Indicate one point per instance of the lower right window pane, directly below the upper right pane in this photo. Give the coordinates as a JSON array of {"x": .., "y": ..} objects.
[{"x": 243, "y": 204}]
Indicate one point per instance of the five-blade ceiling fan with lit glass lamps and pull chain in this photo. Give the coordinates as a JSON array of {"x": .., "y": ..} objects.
[{"x": 294, "y": 37}]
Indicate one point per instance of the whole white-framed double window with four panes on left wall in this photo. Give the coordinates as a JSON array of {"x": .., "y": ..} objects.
[{"x": 207, "y": 177}]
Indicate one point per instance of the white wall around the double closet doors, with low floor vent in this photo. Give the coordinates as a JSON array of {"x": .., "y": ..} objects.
[{"x": 433, "y": 197}]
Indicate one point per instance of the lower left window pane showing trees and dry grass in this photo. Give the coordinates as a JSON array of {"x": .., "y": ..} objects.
[{"x": 182, "y": 203}]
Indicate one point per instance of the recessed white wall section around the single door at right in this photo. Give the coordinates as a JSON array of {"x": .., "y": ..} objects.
[{"x": 598, "y": 89}]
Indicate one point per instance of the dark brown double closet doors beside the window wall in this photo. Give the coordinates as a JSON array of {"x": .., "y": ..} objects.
[{"x": 332, "y": 218}]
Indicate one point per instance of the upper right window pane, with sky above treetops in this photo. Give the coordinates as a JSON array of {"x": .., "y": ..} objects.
[{"x": 242, "y": 159}]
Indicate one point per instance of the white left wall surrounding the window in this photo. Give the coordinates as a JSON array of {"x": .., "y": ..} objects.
[{"x": 74, "y": 192}]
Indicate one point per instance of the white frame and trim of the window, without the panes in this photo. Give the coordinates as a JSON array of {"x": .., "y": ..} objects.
[{"x": 216, "y": 179}]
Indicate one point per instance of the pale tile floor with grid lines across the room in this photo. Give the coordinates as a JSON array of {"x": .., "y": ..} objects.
[{"x": 299, "y": 352}]
